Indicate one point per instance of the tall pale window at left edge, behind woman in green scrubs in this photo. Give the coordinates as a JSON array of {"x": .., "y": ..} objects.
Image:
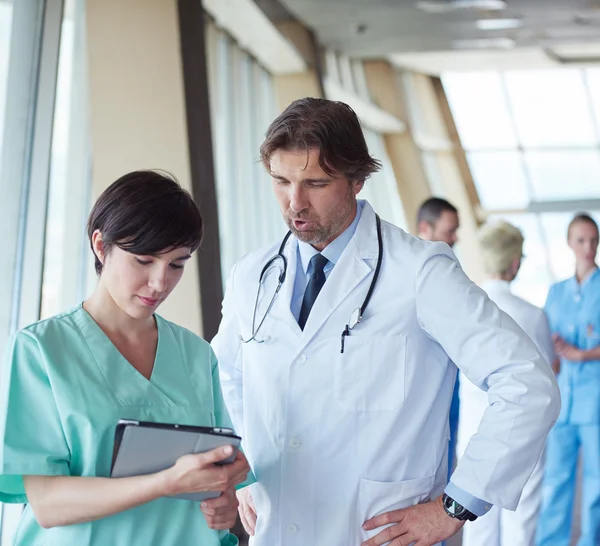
[{"x": 43, "y": 168}]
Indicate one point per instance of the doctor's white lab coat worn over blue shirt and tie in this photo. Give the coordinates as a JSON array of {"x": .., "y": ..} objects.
[{"x": 335, "y": 439}]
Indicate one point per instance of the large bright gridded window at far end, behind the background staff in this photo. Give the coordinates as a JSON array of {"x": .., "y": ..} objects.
[{"x": 533, "y": 143}]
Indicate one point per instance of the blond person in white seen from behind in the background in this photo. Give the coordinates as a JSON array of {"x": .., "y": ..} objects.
[{"x": 501, "y": 246}]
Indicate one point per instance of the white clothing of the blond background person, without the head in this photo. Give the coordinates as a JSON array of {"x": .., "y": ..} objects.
[{"x": 502, "y": 527}]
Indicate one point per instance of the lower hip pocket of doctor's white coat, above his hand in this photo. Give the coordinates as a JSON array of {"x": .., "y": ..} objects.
[{"x": 375, "y": 498}]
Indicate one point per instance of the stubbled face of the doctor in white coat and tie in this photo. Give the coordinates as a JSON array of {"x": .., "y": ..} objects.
[{"x": 317, "y": 207}]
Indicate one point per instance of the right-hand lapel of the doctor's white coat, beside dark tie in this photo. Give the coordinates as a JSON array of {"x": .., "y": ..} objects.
[{"x": 355, "y": 264}]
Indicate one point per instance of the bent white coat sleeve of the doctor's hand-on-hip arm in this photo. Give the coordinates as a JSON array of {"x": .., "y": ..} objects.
[{"x": 497, "y": 356}]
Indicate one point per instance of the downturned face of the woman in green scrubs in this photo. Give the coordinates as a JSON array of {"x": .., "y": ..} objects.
[{"x": 139, "y": 284}]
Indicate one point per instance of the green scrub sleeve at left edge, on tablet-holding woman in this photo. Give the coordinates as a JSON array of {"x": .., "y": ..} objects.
[{"x": 33, "y": 441}]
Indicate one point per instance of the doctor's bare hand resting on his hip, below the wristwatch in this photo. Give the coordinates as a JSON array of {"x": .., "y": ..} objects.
[{"x": 423, "y": 524}]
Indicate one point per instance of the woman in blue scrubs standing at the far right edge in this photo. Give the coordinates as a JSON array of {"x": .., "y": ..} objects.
[{"x": 573, "y": 310}]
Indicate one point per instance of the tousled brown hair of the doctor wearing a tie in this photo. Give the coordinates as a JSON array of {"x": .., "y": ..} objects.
[{"x": 329, "y": 126}]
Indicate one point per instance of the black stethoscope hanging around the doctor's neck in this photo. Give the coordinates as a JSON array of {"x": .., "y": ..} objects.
[{"x": 279, "y": 260}]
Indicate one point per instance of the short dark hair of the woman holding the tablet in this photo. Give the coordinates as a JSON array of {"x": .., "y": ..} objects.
[{"x": 145, "y": 213}]
